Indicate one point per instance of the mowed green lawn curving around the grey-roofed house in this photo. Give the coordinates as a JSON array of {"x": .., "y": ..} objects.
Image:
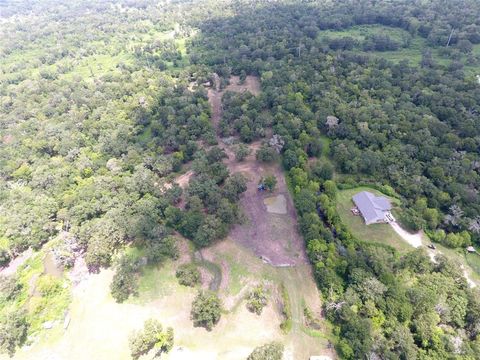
[{"x": 380, "y": 233}]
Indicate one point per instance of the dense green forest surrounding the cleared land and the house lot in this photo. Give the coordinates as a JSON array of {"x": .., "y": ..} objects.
[{"x": 93, "y": 126}]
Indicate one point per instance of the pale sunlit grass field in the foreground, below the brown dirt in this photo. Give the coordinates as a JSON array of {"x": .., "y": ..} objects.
[{"x": 99, "y": 327}]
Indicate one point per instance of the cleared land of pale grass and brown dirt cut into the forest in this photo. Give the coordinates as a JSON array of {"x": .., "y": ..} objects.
[{"x": 99, "y": 327}]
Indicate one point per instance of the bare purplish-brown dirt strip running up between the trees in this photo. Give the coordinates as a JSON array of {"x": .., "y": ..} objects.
[{"x": 270, "y": 236}]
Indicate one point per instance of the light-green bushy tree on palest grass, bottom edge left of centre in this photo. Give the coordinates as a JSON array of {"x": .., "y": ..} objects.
[{"x": 151, "y": 337}]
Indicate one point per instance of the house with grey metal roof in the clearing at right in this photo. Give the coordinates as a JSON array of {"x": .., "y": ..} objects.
[{"x": 374, "y": 209}]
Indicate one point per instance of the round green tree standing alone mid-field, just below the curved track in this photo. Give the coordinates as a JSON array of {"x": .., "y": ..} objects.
[{"x": 206, "y": 310}]
